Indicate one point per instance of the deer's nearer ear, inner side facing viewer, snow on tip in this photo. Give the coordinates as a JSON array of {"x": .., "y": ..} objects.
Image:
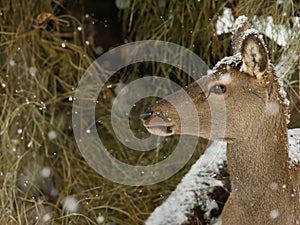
[{"x": 254, "y": 54}]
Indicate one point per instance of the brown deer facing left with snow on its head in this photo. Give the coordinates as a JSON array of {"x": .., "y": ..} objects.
[{"x": 265, "y": 188}]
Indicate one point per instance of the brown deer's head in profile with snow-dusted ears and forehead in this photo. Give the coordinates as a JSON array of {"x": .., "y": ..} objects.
[{"x": 245, "y": 82}]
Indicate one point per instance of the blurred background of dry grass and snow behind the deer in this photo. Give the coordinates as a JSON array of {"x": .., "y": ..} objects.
[{"x": 45, "y": 48}]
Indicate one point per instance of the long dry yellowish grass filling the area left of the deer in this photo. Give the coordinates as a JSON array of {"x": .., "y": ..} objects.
[{"x": 43, "y": 57}]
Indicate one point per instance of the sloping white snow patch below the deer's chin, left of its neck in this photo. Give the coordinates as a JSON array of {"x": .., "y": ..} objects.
[{"x": 193, "y": 189}]
